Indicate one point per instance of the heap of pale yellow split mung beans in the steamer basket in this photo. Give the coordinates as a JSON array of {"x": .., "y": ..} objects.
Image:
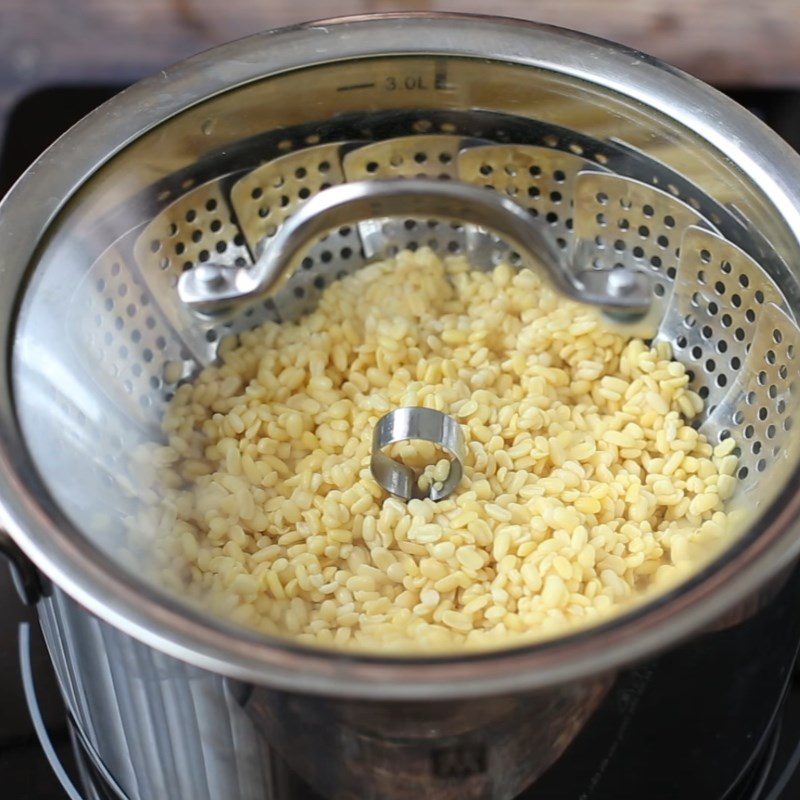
[{"x": 584, "y": 488}]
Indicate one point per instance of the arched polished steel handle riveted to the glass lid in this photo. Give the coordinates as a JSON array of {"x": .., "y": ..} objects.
[{"x": 211, "y": 288}]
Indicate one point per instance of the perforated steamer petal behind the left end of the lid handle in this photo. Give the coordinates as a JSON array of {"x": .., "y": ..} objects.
[{"x": 198, "y": 227}]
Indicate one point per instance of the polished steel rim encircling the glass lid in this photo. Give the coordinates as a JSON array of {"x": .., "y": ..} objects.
[{"x": 55, "y": 545}]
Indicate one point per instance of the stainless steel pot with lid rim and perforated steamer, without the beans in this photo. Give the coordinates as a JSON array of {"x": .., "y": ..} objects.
[{"x": 177, "y": 704}]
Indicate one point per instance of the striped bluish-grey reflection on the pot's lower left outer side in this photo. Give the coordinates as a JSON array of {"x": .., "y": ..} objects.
[{"x": 162, "y": 728}]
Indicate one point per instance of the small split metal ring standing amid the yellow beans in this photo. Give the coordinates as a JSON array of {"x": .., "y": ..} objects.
[{"x": 407, "y": 424}]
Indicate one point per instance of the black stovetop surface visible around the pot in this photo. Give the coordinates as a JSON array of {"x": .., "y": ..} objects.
[{"x": 717, "y": 741}]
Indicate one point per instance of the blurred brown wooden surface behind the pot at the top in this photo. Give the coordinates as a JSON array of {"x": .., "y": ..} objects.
[{"x": 55, "y": 42}]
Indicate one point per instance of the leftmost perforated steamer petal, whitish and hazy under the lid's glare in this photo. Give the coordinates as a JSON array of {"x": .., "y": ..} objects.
[{"x": 119, "y": 329}]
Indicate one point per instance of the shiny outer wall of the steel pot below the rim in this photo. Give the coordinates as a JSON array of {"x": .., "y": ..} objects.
[{"x": 158, "y": 727}]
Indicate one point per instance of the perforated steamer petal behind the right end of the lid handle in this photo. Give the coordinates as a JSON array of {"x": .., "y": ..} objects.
[{"x": 621, "y": 221}]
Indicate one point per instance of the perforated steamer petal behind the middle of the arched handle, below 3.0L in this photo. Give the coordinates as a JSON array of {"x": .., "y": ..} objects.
[{"x": 428, "y": 156}]
